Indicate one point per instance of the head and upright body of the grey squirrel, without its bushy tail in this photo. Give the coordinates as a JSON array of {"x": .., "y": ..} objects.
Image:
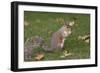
[{"x": 58, "y": 38}]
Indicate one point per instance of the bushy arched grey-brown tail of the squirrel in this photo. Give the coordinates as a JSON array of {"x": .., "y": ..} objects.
[{"x": 30, "y": 44}]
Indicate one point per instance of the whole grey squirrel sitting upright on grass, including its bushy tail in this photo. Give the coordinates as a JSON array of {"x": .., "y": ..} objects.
[{"x": 57, "y": 41}]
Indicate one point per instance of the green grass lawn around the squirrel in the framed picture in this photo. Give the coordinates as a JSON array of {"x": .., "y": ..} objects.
[{"x": 44, "y": 24}]
